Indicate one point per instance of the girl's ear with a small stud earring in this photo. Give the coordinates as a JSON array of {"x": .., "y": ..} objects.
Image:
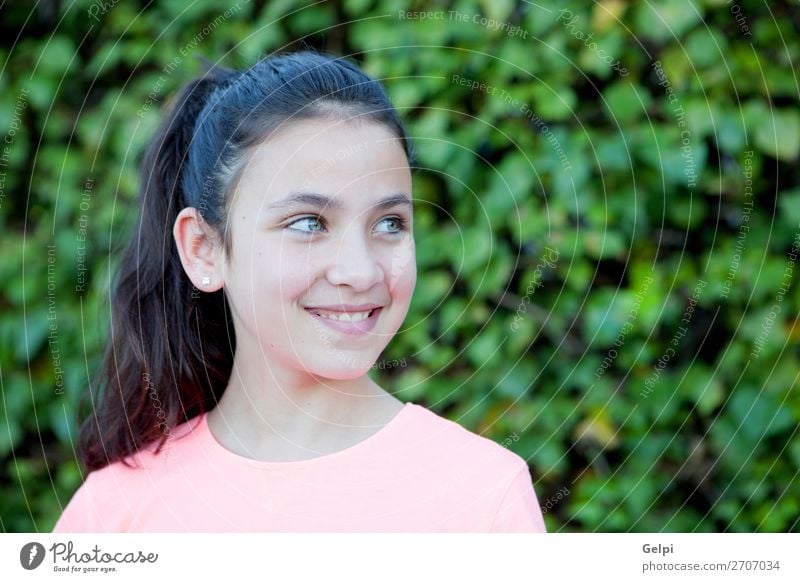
[{"x": 200, "y": 250}]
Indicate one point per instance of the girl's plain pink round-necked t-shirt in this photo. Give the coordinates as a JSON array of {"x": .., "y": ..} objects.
[{"x": 419, "y": 473}]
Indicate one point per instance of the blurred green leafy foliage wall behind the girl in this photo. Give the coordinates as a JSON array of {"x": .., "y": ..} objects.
[{"x": 565, "y": 213}]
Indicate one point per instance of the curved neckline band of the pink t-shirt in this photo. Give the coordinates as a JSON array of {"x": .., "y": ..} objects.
[{"x": 217, "y": 449}]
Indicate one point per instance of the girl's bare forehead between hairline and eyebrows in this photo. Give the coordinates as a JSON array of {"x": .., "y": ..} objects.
[{"x": 332, "y": 157}]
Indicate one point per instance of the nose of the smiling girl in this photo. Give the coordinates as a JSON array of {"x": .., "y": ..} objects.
[{"x": 354, "y": 262}]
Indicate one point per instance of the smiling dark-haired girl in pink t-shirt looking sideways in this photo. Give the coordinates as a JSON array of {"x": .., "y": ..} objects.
[{"x": 272, "y": 262}]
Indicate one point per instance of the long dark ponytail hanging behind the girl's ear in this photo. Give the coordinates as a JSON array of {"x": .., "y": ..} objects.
[{"x": 158, "y": 368}]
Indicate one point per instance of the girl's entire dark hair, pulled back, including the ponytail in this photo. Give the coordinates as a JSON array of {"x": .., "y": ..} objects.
[{"x": 171, "y": 351}]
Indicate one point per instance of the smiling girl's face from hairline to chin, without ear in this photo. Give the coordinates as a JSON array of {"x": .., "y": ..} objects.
[{"x": 323, "y": 264}]
